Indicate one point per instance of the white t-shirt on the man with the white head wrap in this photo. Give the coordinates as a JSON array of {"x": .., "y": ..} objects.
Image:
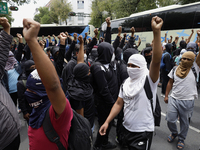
[{"x": 138, "y": 115}]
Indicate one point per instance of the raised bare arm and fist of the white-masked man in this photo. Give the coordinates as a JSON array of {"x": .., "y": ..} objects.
[{"x": 156, "y": 24}]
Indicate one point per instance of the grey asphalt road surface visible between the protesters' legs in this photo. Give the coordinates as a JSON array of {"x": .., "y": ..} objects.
[{"x": 192, "y": 141}]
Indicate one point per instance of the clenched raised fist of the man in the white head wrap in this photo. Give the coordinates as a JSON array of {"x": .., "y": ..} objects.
[{"x": 156, "y": 24}]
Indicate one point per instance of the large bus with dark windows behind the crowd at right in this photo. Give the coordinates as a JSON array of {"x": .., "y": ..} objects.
[{"x": 179, "y": 20}]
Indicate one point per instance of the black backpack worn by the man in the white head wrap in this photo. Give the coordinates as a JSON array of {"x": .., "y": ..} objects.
[{"x": 157, "y": 112}]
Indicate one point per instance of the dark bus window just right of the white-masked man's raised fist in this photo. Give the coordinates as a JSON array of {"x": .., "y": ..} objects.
[{"x": 175, "y": 19}]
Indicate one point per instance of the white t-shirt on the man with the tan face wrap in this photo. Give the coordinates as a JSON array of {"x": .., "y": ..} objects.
[{"x": 185, "y": 89}]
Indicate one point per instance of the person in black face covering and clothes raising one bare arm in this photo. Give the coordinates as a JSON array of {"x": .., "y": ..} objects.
[{"x": 79, "y": 88}]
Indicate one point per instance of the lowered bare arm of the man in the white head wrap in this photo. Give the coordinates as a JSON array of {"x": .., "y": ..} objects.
[{"x": 114, "y": 112}]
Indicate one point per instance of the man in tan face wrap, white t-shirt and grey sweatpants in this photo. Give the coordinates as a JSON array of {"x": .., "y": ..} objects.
[{"x": 181, "y": 101}]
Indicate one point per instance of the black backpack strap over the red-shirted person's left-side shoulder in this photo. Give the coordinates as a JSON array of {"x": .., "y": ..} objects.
[{"x": 50, "y": 131}]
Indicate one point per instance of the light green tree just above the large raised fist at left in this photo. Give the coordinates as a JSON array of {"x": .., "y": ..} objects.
[{"x": 45, "y": 16}]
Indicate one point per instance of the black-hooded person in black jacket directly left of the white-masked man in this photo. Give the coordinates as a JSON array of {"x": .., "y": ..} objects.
[{"x": 105, "y": 89}]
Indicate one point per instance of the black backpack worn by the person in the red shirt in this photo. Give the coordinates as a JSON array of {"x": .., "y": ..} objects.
[{"x": 80, "y": 133}]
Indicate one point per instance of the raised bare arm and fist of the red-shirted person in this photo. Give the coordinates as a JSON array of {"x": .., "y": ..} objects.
[{"x": 45, "y": 68}]
